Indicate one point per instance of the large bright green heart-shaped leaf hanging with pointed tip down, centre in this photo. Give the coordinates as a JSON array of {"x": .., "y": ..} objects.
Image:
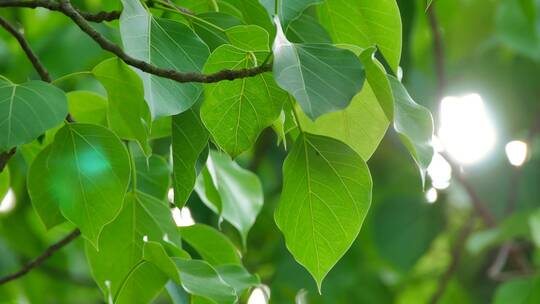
[{"x": 325, "y": 198}]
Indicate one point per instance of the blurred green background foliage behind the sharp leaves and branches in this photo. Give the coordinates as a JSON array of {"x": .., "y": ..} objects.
[{"x": 491, "y": 47}]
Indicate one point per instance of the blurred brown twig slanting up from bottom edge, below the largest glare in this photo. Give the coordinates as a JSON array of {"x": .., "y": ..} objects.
[{"x": 457, "y": 251}]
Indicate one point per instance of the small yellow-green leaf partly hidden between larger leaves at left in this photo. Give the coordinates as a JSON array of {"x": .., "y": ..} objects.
[{"x": 87, "y": 107}]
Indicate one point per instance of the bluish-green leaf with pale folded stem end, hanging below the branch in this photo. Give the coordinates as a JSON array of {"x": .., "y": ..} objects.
[{"x": 321, "y": 77}]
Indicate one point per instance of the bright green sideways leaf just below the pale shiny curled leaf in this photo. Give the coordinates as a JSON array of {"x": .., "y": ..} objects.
[{"x": 213, "y": 246}]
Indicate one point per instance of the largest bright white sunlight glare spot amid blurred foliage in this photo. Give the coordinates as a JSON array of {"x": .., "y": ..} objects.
[{"x": 466, "y": 130}]
